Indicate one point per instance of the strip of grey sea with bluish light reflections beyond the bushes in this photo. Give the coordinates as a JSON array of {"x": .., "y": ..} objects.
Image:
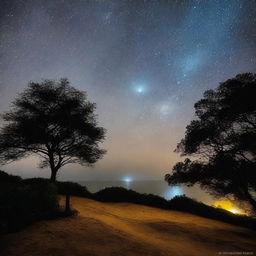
[{"x": 156, "y": 187}]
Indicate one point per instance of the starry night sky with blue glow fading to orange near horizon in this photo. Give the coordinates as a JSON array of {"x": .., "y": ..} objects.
[{"x": 144, "y": 63}]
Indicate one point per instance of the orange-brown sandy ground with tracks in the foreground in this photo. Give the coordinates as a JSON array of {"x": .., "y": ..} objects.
[{"x": 124, "y": 229}]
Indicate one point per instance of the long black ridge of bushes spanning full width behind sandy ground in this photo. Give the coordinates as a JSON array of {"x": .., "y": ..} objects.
[{"x": 46, "y": 195}]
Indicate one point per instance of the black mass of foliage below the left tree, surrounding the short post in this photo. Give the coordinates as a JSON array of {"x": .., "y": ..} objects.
[{"x": 24, "y": 201}]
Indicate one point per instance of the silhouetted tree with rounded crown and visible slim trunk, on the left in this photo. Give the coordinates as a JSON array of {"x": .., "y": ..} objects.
[{"x": 56, "y": 122}]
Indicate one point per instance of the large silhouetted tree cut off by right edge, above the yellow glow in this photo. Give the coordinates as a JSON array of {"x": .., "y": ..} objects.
[{"x": 222, "y": 142}]
